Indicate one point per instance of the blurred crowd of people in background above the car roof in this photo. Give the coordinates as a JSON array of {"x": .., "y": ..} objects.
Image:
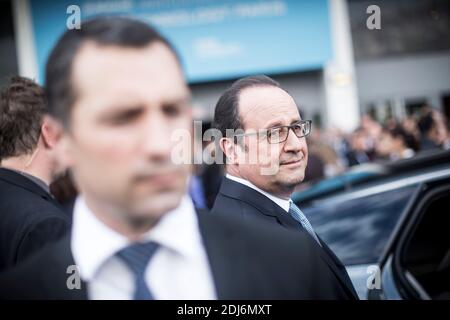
[{"x": 333, "y": 151}]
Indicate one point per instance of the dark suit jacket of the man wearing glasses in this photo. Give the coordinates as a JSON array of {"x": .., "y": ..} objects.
[{"x": 239, "y": 200}]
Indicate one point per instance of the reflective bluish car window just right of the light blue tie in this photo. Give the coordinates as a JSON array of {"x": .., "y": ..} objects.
[{"x": 358, "y": 229}]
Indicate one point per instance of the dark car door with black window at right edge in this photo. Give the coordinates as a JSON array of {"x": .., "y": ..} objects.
[{"x": 416, "y": 264}]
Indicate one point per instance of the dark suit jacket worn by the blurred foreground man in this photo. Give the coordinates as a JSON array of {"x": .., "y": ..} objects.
[{"x": 247, "y": 262}]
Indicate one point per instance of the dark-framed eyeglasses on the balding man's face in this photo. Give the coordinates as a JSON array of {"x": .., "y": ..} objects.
[{"x": 280, "y": 134}]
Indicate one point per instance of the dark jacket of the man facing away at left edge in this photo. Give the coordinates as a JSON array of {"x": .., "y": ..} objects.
[{"x": 29, "y": 218}]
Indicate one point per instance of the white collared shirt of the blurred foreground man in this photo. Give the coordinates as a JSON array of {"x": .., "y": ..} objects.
[{"x": 178, "y": 270}]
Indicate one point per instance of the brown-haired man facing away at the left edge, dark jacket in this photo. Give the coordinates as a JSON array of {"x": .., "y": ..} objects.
[{"x": 29, "y": 216}]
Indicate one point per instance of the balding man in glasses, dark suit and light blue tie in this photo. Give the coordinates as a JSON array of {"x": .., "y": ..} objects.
[{"x": 263, "y": 140}]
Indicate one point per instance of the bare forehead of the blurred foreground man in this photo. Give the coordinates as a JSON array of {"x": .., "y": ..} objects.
[{"x": 98, "y": 67}]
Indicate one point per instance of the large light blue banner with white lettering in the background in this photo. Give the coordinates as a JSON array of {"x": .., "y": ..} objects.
[{"x": 217, "y": 40}]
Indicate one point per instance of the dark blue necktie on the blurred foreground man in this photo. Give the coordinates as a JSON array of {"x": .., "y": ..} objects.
[{"x": 136, "y": 257}]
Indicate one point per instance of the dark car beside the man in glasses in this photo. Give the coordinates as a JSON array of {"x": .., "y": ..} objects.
[{"x": 365, "y": 214}]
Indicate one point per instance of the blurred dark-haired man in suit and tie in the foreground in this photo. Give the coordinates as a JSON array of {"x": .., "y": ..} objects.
[{"x": 136, "y": 234}]
